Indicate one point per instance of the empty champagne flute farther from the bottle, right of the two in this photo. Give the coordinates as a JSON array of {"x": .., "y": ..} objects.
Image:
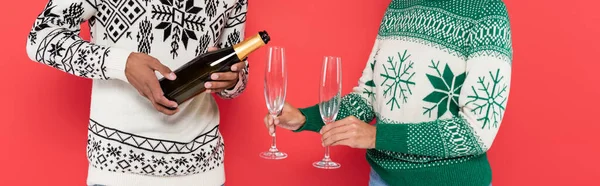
[{"x": 330, "y": 99}]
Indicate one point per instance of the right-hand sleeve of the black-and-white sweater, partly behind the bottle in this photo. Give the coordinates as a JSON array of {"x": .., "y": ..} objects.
[{"x": 232, "y": 34}]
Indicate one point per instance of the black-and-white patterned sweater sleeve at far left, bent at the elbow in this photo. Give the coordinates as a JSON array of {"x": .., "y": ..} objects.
[{"x": 54, "y": 41}]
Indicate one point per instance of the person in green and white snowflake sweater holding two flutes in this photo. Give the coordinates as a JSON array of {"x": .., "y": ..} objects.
[{"x": 436, "y": 83}]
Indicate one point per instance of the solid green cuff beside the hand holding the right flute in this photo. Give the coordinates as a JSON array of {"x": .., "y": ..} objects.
[{"x": 392, "y": 137}]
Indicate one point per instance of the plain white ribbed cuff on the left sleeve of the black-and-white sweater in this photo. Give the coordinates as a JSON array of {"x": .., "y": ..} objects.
[{"x": 115, "y": 63}]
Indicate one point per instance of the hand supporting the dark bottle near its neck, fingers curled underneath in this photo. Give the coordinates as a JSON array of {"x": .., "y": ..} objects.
[{"x": 224, "y": 80}]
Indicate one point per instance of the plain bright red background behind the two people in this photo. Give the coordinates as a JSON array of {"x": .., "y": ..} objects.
[{"x": 549, "y": 136}]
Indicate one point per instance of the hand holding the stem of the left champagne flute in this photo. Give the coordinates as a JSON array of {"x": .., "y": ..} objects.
[{"x": 290, "y": 118}]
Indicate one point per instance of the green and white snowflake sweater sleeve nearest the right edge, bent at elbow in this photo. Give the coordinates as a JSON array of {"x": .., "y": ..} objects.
[{"x": 481, "y": 103}]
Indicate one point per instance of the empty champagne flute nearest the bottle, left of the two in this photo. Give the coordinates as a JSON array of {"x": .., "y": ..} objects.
[{"x": 275, "y": 86}]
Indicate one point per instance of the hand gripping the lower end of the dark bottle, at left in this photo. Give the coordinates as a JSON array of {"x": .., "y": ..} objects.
[{"x": 140, "y": 73}]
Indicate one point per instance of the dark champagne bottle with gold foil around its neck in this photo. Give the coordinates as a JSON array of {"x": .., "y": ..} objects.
[{"x": 192, "y": 75}]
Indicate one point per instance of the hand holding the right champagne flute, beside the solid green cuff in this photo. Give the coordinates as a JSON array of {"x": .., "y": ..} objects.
[{"x": 351, "y": 132}]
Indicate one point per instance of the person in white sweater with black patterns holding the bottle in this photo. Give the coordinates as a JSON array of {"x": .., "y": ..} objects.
[{"x": 132, "y": 138}]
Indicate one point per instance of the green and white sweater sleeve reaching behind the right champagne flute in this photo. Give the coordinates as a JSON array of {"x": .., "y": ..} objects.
[{"x": 357, "y": 103}]
